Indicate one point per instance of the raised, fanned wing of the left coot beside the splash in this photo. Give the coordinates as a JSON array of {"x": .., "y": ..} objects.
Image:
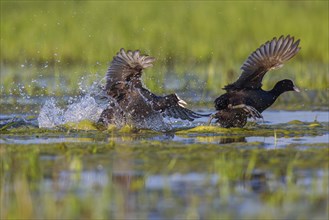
[{"x": 126, "y": 69}]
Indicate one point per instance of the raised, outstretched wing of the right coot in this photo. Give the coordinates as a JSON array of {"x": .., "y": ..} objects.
[{"x": 270, "y": 55}]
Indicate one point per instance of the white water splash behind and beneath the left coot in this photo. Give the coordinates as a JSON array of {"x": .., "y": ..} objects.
[{"x": 92, "y": 104}]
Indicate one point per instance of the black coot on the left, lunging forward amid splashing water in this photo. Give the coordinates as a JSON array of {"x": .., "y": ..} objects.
[{"x": 132, "y": 103}]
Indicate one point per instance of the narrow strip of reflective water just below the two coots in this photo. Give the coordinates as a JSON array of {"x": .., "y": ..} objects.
[{"x": 266, "y": 142}]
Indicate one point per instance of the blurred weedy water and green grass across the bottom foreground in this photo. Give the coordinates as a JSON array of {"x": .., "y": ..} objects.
[{"x": 128, "y": 184}]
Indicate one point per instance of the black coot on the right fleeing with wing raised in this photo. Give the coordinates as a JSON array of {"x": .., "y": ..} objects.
[{"x": 245, "y": 98}]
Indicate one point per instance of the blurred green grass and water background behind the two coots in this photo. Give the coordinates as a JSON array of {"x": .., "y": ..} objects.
[{"x": 199, "y": 46}]
